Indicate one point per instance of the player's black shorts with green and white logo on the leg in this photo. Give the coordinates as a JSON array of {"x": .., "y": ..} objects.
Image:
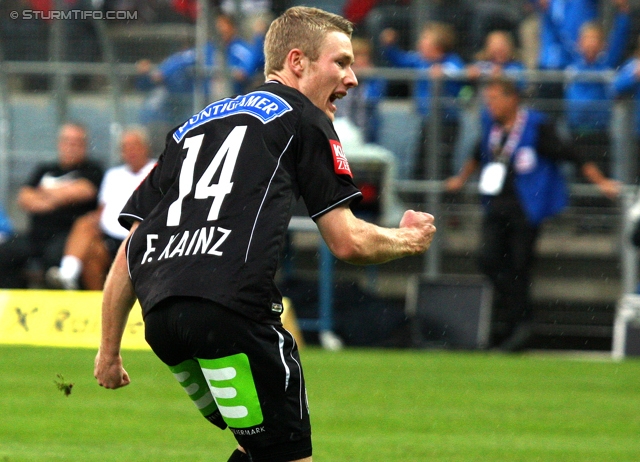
[{"x": 253, "y": 371}]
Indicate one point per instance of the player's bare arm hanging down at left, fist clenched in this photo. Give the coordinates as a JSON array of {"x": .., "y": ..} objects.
[{"x": 117, "y": 301}]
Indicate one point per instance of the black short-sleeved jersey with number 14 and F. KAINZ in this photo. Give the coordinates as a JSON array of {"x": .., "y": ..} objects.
[{"x": 216, "y": 208}]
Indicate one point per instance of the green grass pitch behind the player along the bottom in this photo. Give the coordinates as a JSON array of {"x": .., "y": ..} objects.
[{"x": 366, "y": 405}]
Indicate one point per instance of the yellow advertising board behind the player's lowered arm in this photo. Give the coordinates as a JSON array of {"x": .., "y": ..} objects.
[{"x": 60, "y": 318}]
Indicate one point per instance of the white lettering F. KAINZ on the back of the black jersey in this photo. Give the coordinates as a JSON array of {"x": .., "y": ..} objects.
[{"x": 186, "y": 243}]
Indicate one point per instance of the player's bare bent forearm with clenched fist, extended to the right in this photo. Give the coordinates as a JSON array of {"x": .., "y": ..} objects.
[{"x": 356, "y": 241}]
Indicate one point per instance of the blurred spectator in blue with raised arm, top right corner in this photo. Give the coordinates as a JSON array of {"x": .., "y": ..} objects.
[{"x": 588, "y": 103}]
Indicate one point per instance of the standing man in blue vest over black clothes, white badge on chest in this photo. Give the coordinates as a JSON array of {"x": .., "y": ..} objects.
[{"x": 521, "y": 185}]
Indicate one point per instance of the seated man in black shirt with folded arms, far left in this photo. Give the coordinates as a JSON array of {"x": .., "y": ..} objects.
[{"x": 56, "y": 194}]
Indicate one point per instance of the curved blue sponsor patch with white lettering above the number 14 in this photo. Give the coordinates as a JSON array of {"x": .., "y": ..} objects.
[{"x": 262, "y": 105}]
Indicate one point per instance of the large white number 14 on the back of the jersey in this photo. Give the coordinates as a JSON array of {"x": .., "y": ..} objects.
[{"x": 225, "y": 158}]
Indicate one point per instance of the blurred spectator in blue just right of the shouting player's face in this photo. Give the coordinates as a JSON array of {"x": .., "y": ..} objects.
[{"x": 360, "y": 106}]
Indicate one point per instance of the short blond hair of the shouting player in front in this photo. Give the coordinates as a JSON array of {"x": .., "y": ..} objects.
[{"x": 300, "y": 27}]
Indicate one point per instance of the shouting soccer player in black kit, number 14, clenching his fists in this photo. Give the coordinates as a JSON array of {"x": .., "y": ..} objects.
[{"x": 209, "y": 222}]
